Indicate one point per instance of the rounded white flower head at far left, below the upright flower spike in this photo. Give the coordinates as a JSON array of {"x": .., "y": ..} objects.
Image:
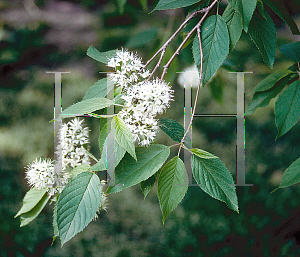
[{"x": 41, "y": 174}]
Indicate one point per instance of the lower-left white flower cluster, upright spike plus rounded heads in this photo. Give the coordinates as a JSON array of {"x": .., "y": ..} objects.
[{"x": 43, "y": 173}]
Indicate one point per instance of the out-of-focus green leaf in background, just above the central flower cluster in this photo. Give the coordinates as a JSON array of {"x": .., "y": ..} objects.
[{"x": 141, "y": 39}]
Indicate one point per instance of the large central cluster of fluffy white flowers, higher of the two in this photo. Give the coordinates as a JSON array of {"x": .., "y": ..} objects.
[{"x": 144, "y": 99}]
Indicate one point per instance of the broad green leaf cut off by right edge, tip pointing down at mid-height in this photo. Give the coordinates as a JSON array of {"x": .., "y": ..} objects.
[{"x": 287, "y": 108}]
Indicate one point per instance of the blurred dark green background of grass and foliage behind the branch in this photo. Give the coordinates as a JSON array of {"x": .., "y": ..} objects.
[{"x": 41, "y": 36}]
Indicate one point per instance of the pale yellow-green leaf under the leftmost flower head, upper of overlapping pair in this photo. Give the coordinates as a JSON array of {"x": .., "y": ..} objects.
[{"x": 31, "y": 199}]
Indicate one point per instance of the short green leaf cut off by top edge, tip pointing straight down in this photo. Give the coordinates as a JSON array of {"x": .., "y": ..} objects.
[{"x": 245, "y": 8}]
